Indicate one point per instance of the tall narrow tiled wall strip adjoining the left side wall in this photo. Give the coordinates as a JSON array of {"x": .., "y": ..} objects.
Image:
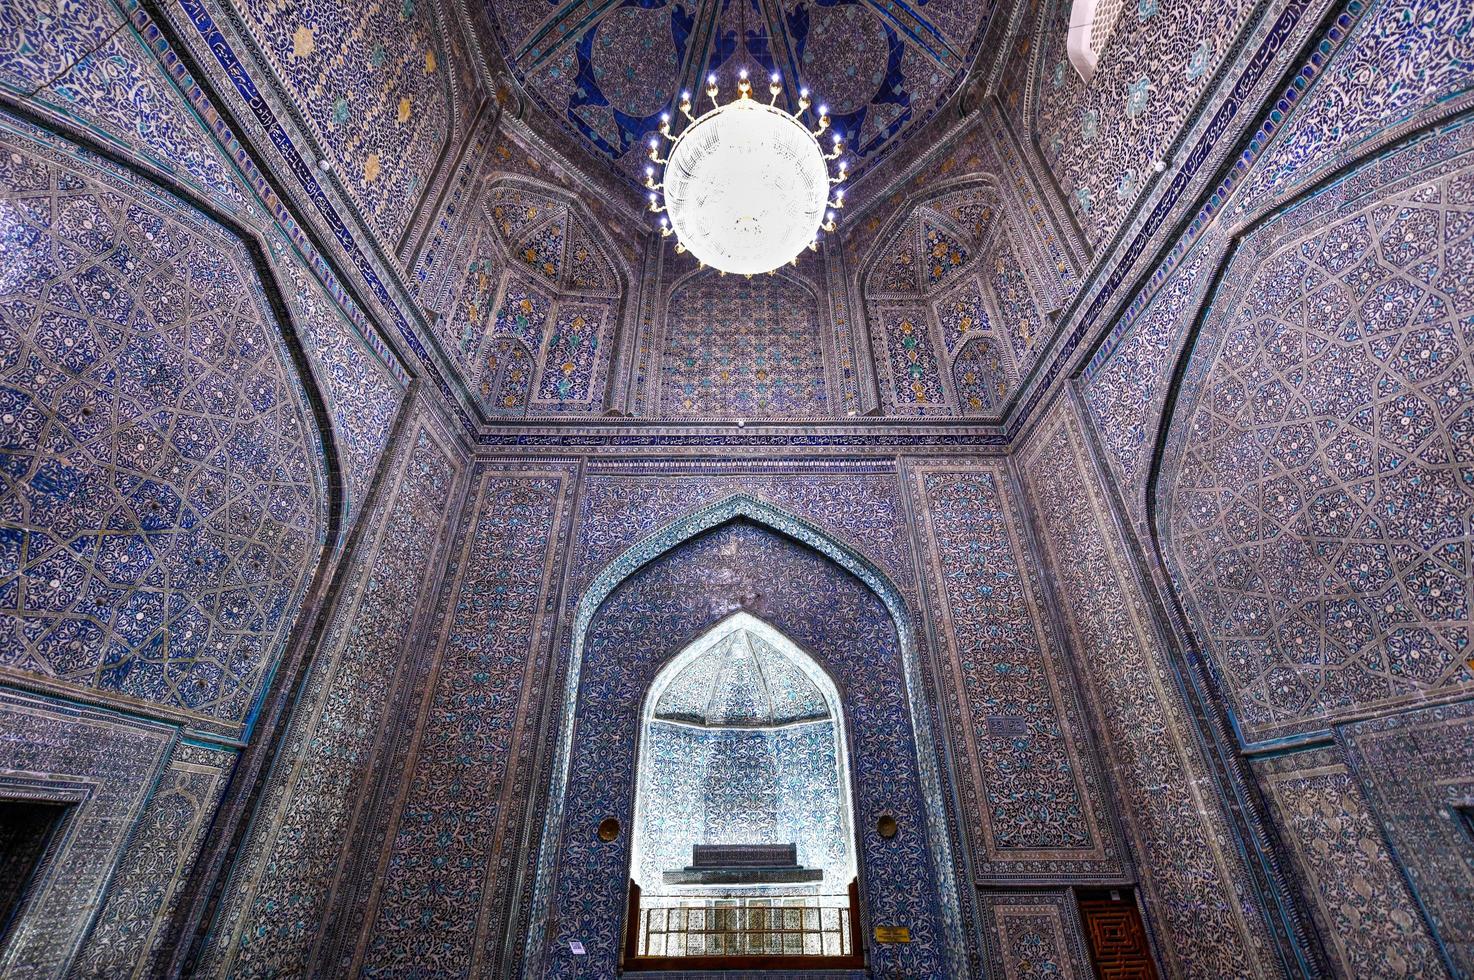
[{"x": 300, "y": 847}]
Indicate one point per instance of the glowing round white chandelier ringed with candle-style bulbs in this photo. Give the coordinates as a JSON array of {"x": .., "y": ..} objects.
[{"x": 747, "y": 185}]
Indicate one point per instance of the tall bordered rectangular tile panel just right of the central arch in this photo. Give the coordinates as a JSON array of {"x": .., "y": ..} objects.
[{"x": 1033, "y": 792}]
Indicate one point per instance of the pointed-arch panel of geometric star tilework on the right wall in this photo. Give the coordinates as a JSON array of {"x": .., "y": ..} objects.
[{"x": 1323, "y": 502}]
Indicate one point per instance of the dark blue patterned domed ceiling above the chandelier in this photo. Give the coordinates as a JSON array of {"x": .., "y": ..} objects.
[{"x": 608, "y": 70}]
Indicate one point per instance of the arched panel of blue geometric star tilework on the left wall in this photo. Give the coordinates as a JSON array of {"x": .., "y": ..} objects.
[{"x": 163, "y": 502}]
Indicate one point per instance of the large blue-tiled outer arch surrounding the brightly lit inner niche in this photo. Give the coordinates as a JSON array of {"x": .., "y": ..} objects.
[{"x": 648, "y": 606}]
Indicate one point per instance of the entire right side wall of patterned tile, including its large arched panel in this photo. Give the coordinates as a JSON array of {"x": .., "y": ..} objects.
[{"x": 1317, "y": 598}]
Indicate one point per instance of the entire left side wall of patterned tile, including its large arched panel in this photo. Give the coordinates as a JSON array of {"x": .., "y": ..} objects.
[{"x": 195, "y": 412}]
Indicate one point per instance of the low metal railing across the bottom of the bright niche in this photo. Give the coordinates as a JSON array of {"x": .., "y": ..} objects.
[{"x": 748, "y": 928}]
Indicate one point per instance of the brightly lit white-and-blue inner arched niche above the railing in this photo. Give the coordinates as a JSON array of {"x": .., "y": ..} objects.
[{"x": 742, "y": 745}]
